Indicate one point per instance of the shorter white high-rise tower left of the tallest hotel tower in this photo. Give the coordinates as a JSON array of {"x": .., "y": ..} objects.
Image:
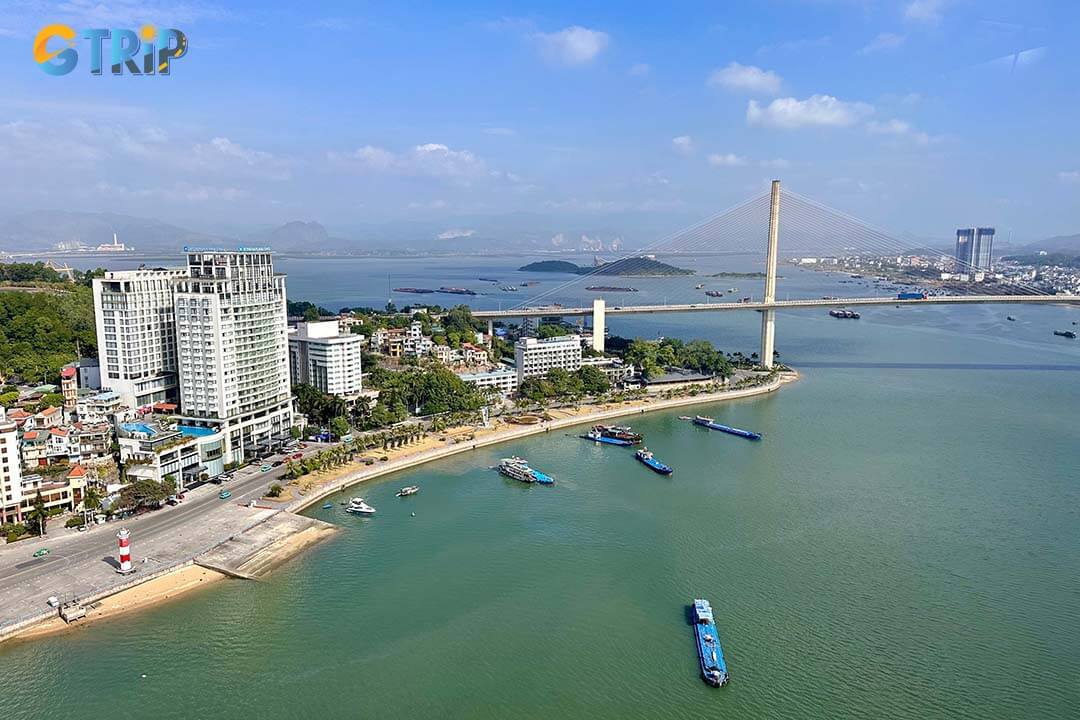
[{"x": 137, "y": 334}]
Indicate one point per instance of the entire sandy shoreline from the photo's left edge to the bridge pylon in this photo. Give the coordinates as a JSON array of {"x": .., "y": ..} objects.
[{"x": 190, "y": 576}]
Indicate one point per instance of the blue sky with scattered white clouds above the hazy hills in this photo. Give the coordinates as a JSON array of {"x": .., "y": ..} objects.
[{"x": 916, "y": 116}]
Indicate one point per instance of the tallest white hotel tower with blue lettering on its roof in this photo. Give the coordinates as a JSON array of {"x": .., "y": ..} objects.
[{"x": 233, "y": 347}]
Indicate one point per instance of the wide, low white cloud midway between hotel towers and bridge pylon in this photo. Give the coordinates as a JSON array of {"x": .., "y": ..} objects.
[{"x": 429, "y": 160}]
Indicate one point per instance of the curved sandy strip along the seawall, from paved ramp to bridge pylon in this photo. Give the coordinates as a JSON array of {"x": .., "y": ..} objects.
[{"x": 518, "y": 432}]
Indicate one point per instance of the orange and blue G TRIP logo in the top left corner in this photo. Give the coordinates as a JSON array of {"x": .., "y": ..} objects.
[{"x": 150, "y": 51}]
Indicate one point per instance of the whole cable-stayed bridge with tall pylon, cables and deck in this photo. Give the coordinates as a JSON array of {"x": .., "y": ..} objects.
[{"x": 809, "y": 228}]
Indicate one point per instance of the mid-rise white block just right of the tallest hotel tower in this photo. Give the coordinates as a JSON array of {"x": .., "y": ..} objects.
[{"x": 323, "y": 357}]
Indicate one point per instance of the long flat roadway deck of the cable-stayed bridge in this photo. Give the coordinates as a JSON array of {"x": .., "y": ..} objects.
[{"x": 781, "y": 305}]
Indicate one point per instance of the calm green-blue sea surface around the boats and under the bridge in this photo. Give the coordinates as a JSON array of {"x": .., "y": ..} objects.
[{"x": 902, "y": 545}]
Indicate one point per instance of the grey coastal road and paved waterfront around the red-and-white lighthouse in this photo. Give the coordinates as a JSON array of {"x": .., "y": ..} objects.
[{"x": 84, "y": 564}]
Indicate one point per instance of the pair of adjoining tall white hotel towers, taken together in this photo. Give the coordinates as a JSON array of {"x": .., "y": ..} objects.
[{"x": 219, "y": 346}]
